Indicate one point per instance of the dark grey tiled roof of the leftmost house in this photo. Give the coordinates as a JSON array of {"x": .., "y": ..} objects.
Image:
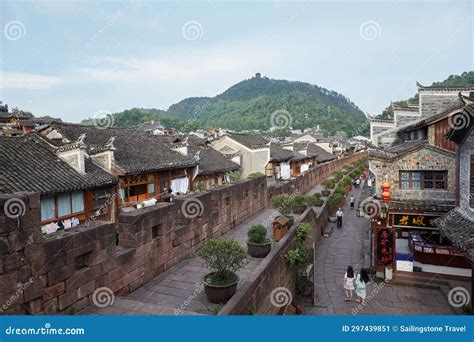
[{"x": 28, "y": 163}]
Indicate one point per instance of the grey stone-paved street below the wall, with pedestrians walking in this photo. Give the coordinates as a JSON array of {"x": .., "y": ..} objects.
[{"x": 350, "y": 246}]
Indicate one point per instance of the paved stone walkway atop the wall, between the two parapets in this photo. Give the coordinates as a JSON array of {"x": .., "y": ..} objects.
[{"x": 179, "y": 290}]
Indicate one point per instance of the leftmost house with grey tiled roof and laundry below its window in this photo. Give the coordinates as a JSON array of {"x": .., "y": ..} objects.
[{"x": 72, "y": 186}]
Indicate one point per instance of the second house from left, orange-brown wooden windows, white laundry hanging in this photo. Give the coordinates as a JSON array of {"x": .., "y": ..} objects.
[{"x": 145, "y": 166}]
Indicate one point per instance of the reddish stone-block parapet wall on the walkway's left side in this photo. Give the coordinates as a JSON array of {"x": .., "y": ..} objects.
[{"x": 59, "y": 273}]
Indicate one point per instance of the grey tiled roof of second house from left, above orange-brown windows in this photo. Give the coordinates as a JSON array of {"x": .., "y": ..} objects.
[{"x": 135, "y": 150}]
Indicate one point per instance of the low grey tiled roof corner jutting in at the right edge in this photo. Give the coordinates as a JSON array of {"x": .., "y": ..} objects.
[{"x": 458, "y": 229}]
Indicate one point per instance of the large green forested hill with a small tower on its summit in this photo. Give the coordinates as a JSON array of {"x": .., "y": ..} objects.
[{"x": 249, "y": 104}]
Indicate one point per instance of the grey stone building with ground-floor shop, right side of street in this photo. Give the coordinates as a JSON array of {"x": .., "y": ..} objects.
[{"x": 420, "y": 166}]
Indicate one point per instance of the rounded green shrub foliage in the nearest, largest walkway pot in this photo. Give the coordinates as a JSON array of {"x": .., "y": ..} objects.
[{"x": 223, "y": 257}]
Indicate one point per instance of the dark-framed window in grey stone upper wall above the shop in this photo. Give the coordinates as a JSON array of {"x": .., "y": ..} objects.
[{"x": 423, "y": 180}]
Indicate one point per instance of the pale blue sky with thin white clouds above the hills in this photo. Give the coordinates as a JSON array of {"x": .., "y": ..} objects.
[{"x": 71, "y": 59}]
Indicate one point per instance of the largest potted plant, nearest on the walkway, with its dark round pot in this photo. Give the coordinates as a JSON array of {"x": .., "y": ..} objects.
[{"x": 224, "y": 257}]
